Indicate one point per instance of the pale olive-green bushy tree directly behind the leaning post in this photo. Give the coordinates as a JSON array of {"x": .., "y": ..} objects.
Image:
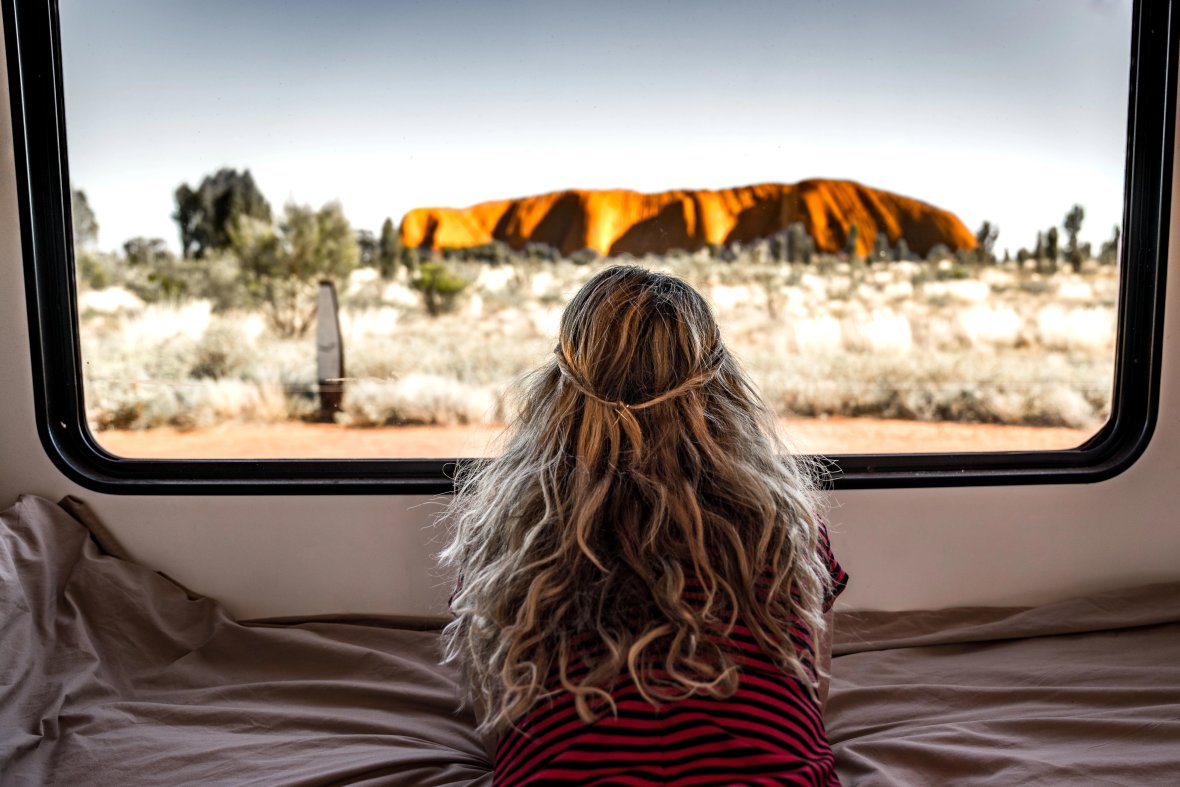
[{"x": 284, "y": 266}]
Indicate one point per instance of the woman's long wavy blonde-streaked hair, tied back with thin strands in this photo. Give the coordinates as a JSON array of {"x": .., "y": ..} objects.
[{"x": 643, "y": 463}]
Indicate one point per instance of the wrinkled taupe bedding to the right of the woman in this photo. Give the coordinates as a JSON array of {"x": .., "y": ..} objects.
[{"x": 1084, "y": 692}]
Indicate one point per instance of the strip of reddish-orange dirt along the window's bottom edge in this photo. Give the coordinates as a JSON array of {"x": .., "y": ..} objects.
[{"x": 327, "y": 442}]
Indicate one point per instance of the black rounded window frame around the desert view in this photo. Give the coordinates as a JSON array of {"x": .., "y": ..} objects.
[{"x": 34, "y": 50}]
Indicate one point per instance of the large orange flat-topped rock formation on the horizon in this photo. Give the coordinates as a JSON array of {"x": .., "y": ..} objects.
[{"x": 627, "y": 222}]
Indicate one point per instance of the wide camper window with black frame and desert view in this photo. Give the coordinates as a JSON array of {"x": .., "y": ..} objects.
[{"x": 932, "y": 233}]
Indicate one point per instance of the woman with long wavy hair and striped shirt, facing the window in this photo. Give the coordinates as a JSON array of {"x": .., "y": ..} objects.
[{"x": 644, "y": 575}]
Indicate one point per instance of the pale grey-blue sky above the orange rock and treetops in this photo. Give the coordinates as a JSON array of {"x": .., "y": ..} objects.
[{"x": 1002, "y": 110}]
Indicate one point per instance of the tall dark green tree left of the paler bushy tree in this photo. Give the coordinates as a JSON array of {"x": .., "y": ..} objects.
[{"x": 208, "y": 214}]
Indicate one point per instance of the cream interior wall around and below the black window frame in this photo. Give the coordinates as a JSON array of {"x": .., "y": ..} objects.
[{"x": 906, "y": 549}]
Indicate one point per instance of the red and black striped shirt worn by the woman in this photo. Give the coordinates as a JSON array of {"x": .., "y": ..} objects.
[{"x": 770, "y": 732}]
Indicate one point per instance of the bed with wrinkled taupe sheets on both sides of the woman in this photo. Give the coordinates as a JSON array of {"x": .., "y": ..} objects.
[{"x": 113, "y": 674}]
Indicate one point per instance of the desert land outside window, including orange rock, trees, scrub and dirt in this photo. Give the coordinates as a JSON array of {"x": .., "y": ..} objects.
[{"x": 857, "y": 342}]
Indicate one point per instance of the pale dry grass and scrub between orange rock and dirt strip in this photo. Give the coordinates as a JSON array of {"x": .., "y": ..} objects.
[{"x": 926, "y": 342}]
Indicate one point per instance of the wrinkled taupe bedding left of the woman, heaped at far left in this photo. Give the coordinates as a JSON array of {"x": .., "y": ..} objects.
[{"x": 112, "y": 674}]
